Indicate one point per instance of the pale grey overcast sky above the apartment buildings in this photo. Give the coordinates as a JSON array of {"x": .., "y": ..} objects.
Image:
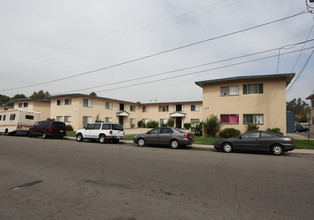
[{"x": 43, "y": 42}]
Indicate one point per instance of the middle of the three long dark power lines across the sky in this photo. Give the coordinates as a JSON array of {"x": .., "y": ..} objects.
[{"x": 191, "y": 67}]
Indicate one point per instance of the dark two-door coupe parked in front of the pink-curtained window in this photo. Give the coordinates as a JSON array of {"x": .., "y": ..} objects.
[{"x": 257, "y": 141}]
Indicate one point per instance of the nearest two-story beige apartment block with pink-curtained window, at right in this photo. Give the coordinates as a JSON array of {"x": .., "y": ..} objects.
[{"x": 238, "y": 101}]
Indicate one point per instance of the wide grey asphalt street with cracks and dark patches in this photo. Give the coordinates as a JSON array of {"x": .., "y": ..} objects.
[{"x": 64, "y": 179}]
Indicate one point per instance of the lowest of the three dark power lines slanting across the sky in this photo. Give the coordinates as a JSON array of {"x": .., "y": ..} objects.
[{"x": 202, "y": 71}]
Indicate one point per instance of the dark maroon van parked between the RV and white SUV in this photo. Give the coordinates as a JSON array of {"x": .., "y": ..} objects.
[{"x": 48, "y": 129}]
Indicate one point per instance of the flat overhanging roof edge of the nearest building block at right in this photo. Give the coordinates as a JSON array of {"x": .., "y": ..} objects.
[{"x": 288, "y": 76}]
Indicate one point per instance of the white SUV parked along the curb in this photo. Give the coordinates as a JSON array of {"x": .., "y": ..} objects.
[{"x": 101, "y": 132}]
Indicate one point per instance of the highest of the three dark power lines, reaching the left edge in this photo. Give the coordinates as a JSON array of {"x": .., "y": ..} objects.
[{"x": 157, "y": 54}]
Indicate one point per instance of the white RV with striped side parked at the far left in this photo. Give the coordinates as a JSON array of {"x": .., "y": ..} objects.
[{"x": 17, "y": 121}]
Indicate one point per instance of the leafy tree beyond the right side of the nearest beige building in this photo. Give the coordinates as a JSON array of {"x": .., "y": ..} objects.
[{"x": 299, "y": 108}]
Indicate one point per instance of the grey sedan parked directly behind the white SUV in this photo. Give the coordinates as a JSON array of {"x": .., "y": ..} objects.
[{"x": 164, "y": 136}]
